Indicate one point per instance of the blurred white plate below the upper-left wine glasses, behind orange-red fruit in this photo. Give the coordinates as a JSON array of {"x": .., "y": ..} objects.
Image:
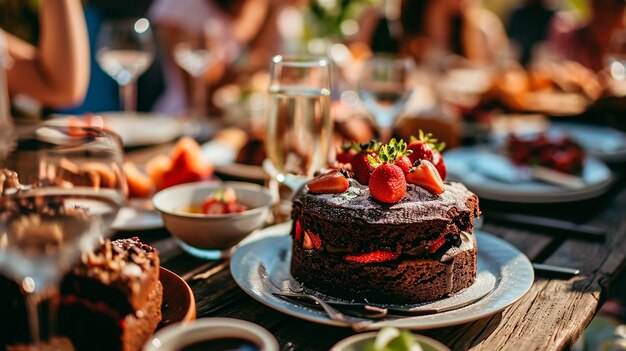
[{"x": 140, "y": 129}]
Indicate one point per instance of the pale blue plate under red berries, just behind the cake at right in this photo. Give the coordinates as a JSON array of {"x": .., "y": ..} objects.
[{"x": 462, "y": 166}]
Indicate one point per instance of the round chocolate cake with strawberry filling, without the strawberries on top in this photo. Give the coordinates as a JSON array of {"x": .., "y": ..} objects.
[{"x": 348, "y": 245}]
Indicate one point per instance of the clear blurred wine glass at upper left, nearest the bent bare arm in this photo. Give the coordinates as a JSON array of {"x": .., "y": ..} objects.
[{"x": 125, "y": 50}]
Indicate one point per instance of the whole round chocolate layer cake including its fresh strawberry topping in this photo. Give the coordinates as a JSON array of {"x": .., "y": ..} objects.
[{"x": 404, "y": 236}]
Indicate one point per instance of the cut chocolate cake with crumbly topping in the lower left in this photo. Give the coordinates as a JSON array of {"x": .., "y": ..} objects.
[{"x": 112, "y": 299}]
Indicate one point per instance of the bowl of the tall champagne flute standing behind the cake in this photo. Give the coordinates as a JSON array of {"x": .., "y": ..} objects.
[{"x": 298, "y": 125}]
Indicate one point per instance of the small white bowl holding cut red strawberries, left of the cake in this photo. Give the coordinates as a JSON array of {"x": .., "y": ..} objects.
[{"x": 212, "y": 215}]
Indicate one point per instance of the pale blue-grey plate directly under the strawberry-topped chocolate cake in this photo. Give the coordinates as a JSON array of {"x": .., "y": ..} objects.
[{"x": 512, "y": 269}]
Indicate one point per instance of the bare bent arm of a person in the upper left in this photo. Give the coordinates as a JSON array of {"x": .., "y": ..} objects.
[{"x": 57, "y": 72}]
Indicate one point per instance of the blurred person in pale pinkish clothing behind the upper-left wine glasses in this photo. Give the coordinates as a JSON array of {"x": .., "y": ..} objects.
[{"x": 241, "y": 27}]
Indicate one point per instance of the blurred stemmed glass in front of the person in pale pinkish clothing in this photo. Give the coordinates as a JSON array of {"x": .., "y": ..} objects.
[{"x": 194, "y": 54}]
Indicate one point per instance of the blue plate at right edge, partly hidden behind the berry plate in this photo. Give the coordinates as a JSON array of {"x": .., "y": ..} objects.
[{"x": 605, "y": 143}]
